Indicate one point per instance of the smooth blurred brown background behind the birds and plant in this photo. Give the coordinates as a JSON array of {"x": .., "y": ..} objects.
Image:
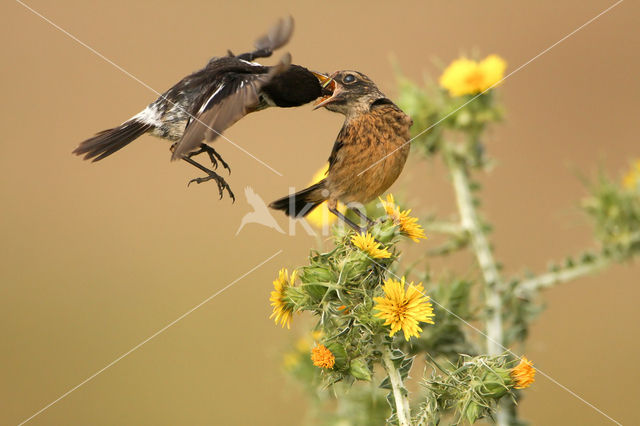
[{"x": 97, "y": 257}]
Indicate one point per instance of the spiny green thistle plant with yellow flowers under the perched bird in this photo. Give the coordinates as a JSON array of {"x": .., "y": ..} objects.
[{"x": 388, "y": 342}]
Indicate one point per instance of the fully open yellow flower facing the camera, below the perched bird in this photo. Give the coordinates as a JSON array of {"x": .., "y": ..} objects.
[{"x": 404, "y": 310}]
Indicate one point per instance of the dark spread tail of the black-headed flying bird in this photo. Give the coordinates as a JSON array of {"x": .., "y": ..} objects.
[{"x": 109, "y": 141}]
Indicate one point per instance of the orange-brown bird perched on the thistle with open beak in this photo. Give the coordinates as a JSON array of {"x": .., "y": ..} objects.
[{"x": 368, "y": 155}]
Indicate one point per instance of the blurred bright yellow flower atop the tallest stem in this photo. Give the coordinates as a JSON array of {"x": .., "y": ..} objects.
[{"x": 466, "y": 77}]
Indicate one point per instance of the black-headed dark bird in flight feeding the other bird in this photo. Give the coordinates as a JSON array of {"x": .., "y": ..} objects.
[{"x": 202, "y": 105}]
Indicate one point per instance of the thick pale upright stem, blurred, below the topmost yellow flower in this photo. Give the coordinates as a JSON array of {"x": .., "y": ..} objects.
[{"x": 493, "y": 282}]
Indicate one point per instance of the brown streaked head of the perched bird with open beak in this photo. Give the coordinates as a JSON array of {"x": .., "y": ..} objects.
[{"x": 349, "y": 92}]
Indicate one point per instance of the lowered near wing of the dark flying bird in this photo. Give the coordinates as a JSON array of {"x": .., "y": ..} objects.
[{"x": 232, "y": 99}]
